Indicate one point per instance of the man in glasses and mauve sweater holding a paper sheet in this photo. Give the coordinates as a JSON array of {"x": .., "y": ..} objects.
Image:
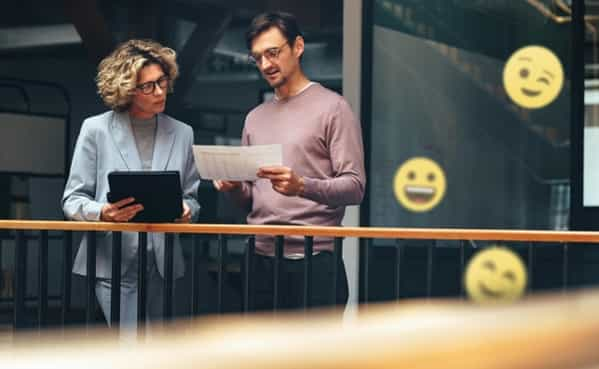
[{"x": 323, "y": 165}]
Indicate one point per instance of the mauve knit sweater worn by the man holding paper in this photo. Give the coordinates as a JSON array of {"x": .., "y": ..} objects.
[{"x": 322, "y": 142}]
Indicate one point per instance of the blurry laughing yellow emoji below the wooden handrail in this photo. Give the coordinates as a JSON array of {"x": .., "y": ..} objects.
[{"x": 495, "y": 275}]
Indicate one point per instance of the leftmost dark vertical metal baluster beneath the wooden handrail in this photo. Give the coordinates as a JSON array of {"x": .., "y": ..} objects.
[{"x": 20, "y": 282}]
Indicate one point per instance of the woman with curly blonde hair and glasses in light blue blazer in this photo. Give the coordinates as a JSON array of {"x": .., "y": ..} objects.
[{"x": 133, "y": 82}]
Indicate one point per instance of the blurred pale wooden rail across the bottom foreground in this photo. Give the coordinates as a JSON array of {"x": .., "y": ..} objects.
[{"x": 554, "y": 332}]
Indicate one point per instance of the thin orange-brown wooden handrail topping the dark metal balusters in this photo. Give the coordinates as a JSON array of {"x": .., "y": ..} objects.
[{"x": 362, "y": 232}]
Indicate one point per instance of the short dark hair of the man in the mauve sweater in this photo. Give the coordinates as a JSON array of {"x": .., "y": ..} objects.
[{"x": 285, "y": 22}]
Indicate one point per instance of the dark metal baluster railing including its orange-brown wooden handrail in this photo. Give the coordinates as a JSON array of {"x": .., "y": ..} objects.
[{"x": 22, "y": 232}]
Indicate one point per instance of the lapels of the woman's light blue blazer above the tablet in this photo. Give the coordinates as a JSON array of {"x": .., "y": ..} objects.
[{"x": 120, "y": 128}]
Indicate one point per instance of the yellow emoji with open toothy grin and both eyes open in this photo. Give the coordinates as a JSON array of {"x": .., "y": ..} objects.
[{"x": 419, "y": 184}]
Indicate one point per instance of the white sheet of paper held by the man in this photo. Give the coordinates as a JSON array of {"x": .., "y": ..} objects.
[{"x": 235, "y": 163}]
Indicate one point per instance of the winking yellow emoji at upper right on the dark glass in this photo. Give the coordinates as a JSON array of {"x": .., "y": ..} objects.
[{"x": 533, "y": 77}]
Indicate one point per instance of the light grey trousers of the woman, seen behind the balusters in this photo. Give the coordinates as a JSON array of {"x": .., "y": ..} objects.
[{"x": 129, "y": 286}]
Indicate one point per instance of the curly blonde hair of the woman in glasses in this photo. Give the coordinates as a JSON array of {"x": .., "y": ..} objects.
[{"x": 117, "y": 73}]
